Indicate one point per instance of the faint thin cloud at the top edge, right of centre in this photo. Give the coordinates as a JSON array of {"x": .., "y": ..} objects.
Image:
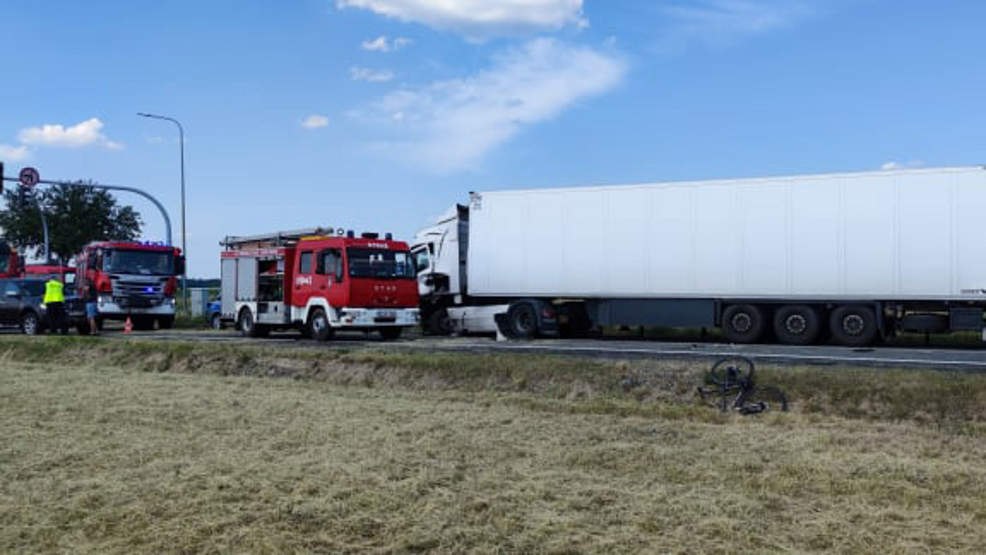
[{"x": 718, "y": 22}]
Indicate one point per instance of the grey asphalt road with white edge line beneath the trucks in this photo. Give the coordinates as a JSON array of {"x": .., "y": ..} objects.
[{"x": 964, "y": 359}]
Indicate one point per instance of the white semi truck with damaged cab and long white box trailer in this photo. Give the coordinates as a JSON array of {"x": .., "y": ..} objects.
[{"x": 851, "y": 257}]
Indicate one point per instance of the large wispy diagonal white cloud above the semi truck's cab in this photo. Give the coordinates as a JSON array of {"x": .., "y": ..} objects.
[{"x": 451, "y": 125}]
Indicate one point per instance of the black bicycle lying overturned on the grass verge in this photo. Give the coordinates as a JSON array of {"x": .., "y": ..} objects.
[{"x": 730, "y": 385}]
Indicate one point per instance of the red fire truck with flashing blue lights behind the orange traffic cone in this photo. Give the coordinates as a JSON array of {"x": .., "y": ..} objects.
[{"x": 132, "y": 279}]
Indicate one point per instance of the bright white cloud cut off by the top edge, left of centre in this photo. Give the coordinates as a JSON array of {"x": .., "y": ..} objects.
[{"x": 478, "y": 18}]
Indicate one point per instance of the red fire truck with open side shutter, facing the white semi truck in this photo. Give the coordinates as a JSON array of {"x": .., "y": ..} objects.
[{"x": 318, "y": 281}]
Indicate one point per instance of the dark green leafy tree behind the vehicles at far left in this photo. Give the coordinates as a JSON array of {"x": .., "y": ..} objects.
[{"x": 76, "y": 216}]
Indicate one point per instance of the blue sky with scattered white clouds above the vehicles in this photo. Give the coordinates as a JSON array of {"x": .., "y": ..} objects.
[{"x": 377, "y": 115}]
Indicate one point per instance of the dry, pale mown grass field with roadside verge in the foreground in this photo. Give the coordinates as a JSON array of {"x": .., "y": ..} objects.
[{"x": 113, "y": 447}]
